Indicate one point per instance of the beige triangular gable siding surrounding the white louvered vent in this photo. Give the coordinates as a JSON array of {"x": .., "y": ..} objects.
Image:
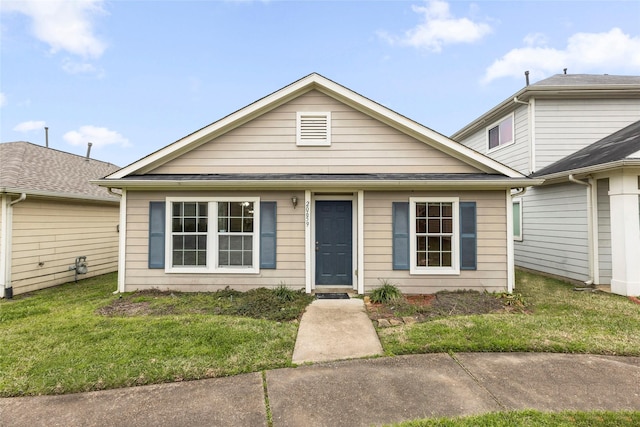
[{"x": 360, "y": 144}]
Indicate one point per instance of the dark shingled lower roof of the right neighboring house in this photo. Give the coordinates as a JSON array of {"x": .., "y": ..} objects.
[{"x": 620, "y": 145}]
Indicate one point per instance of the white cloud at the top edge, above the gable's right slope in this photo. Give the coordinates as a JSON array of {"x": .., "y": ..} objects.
[{"x": 439, "y": 28}]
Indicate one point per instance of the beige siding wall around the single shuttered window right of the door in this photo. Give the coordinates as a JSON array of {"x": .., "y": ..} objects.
[{"x": 491, "y": 274}]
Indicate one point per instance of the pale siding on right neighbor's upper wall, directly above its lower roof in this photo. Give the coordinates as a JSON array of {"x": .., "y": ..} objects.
[{"x": 565, "y": 126}]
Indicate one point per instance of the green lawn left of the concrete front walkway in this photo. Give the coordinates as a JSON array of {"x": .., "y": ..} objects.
[{"x": 54, "y": 341}]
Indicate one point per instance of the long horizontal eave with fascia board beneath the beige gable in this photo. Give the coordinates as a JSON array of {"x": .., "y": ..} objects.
[{"x": 132, "y": 184}]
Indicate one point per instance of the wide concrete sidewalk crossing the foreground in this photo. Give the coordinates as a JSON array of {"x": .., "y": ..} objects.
[{"x": 354, "y": 392}]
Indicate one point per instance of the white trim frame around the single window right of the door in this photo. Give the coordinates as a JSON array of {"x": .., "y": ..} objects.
[{"x": 455, "y": 241}]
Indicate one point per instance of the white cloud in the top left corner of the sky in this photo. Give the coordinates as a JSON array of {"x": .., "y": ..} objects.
[{"x": 62, "y": 24}]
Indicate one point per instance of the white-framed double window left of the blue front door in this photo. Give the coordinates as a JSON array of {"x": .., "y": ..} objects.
[{"x": 197, "y": 246}]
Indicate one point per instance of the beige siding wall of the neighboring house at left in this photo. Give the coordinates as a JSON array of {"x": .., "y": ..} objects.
[{"x": 48, "y": 235}]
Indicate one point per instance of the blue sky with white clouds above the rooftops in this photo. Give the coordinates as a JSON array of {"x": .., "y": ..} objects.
[{"x": 134, "y": 76}]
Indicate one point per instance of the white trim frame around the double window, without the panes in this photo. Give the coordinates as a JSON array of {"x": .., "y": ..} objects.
[{"x": 212, "y": 237}]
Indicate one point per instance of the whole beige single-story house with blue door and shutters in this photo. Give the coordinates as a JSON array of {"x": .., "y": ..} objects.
[{"x": 317, "y": 187}]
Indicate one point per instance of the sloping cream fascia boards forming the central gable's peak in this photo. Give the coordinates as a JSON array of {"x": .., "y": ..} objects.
[{"x": 324, "y": 85}]
